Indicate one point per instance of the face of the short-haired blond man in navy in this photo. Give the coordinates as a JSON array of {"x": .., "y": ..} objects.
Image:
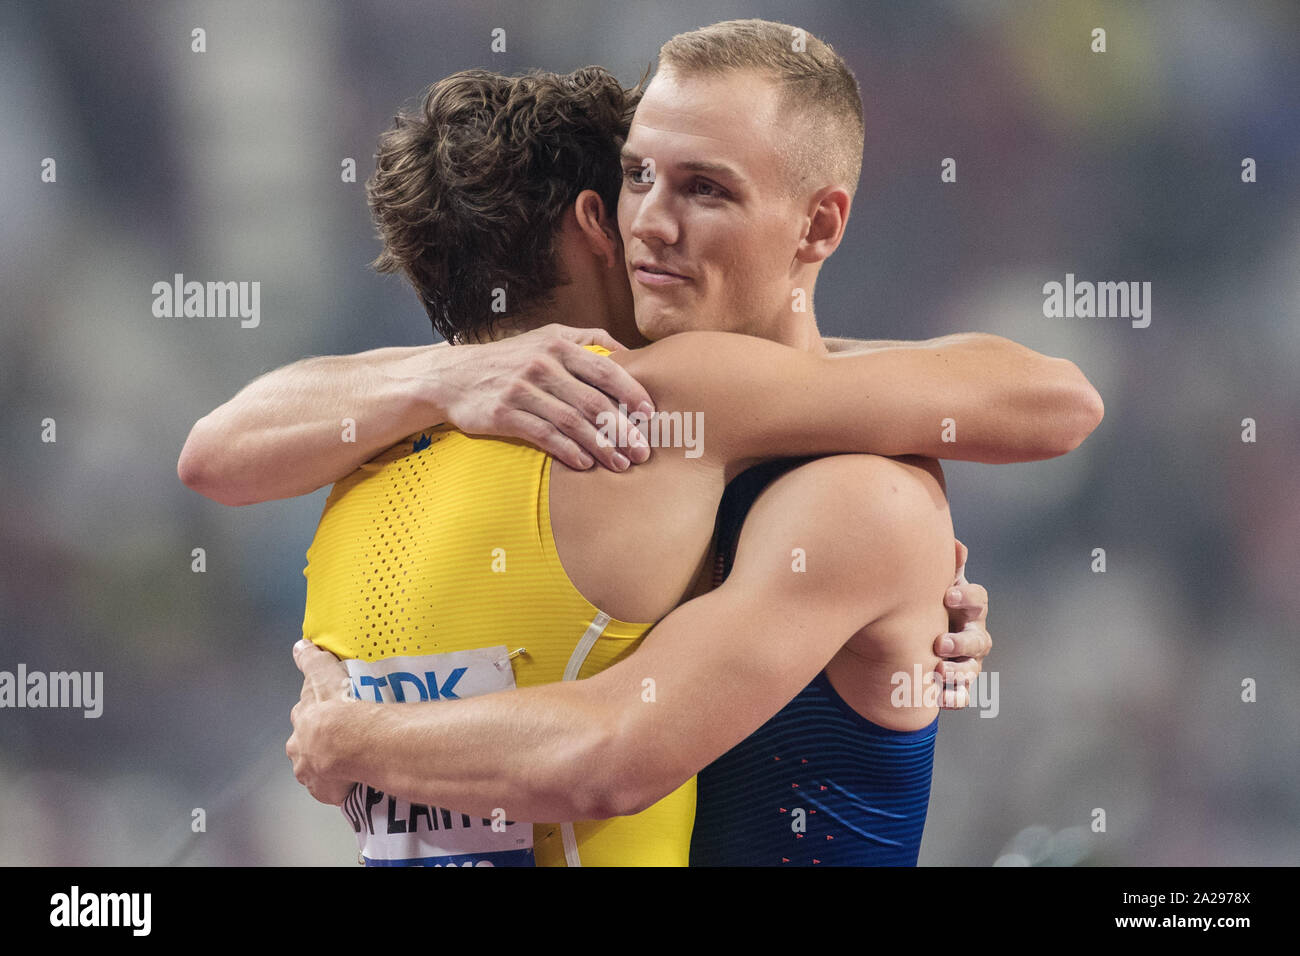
[{"x": 710, "y": 243}]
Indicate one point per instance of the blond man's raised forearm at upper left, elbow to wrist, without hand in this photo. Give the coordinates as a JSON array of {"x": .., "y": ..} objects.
[{"x": 285, "y": 434}]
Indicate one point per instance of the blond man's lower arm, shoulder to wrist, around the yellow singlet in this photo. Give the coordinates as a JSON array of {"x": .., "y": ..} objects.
[{"x": 722, "y": 665}]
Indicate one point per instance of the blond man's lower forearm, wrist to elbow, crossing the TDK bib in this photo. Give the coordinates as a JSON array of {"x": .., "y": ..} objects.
[{"x": 532, "y": 752}]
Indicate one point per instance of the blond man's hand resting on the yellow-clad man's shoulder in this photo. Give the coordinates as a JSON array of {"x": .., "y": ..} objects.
[{"x": 547, "y": 390}]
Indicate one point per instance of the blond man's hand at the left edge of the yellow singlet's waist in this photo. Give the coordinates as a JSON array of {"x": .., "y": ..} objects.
[{"x": 326, "y": 684}]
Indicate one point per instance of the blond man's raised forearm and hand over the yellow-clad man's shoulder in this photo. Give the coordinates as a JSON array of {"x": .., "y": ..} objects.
[{"x": 284, "y": 434}]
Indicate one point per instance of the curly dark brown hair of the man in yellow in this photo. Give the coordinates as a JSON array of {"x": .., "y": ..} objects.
[{"x": 469, "y": 193}]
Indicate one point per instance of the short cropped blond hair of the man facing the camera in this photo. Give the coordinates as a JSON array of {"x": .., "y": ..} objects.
[{"x": 820, "y": 93}]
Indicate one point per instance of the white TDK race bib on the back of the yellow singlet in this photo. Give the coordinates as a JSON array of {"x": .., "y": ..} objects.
[{"x": 396, "y": 833}]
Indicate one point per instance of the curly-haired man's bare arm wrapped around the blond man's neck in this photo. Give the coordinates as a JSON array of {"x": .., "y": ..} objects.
[{"x": 973, "y": 397}]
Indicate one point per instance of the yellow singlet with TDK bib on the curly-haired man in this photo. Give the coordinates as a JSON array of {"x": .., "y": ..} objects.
[{"x": 432, "y": 568}]
